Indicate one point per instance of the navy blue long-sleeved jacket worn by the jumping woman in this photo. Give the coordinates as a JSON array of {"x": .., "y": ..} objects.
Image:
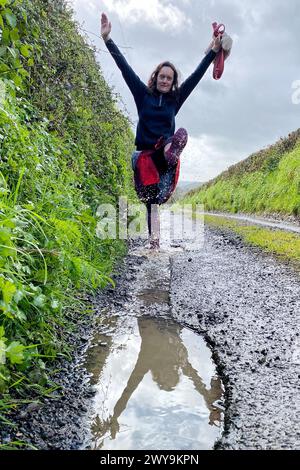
[{"x": 156, "y": 110}]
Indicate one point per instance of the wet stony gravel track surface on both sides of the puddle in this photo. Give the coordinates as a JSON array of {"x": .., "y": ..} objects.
[{"x": 247, "y": 306}]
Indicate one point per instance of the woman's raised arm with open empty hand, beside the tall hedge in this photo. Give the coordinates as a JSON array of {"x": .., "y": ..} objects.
[{"x": 136, "y": 86}]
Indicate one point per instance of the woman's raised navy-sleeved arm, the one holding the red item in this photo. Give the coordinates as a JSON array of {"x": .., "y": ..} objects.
[{"x": 192, "y": 81}]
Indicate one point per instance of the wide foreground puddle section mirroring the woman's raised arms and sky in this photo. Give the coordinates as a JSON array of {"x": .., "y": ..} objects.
[{"x": 157, "y": 388}]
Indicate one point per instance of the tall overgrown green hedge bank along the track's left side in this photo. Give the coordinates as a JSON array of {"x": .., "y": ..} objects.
[{"x": 64, "y": 149}]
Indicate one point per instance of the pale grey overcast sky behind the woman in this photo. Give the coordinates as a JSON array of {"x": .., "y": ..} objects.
[{"x": 257, "y": 100}]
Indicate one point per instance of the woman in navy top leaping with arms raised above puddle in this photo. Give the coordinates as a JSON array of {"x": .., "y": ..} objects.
[{"x": 156, "y": 161}]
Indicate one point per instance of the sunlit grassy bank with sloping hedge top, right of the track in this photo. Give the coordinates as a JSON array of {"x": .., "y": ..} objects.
[{"x": 266, "y": 182}]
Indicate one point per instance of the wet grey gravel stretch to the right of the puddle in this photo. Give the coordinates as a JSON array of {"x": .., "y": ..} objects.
[{"x": 248, "y": 306}]
